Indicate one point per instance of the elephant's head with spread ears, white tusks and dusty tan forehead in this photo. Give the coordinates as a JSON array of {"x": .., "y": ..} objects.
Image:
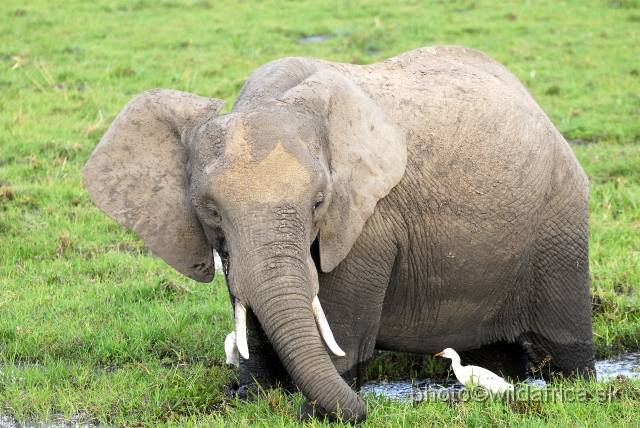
[{"x": 303, "y": 155}]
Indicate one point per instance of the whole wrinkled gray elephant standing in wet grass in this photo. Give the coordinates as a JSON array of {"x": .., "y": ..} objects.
[{"x": 427, "y": 200}]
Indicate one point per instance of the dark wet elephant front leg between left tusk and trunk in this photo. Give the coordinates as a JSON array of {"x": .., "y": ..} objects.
[{"x": 263, "y": 370}]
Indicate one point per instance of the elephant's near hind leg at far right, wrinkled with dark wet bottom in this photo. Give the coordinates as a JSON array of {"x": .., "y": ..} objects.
[{"x": 559, "y": 307}]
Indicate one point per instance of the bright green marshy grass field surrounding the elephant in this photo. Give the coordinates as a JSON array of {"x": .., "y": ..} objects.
[{"x": 93, "y": 328}]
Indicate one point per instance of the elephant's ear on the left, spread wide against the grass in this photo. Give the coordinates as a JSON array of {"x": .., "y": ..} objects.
[{"x": 138, "y": 176}]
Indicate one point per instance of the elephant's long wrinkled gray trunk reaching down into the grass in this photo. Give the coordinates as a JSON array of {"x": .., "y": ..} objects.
[{"x": 280, "y": 290}]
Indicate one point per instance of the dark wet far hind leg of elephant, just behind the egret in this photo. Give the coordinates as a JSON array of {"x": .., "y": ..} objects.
[{"x": 507, "y": 359}]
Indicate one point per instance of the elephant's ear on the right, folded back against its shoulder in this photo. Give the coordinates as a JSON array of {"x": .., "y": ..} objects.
[{"x": 368, "y": 154}]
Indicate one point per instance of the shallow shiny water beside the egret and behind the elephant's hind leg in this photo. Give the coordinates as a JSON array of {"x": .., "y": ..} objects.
[{"x": 627, "y": 365}]
